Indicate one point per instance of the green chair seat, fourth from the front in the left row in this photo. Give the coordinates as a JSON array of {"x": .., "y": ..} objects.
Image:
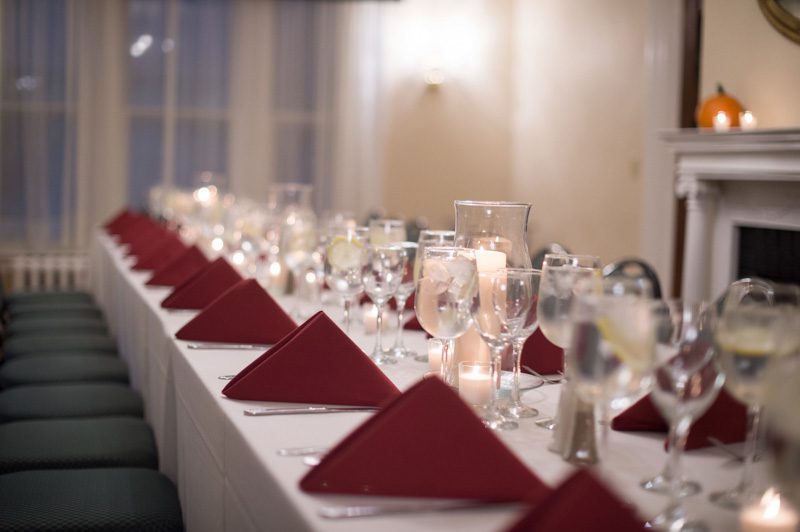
[{"x": 61, "y": 369}]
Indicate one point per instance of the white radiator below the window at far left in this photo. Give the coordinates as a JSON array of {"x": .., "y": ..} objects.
[{"x": 39, "y": 272}]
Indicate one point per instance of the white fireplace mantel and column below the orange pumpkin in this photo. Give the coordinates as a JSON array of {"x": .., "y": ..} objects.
[{"x": 730, "y": 180}]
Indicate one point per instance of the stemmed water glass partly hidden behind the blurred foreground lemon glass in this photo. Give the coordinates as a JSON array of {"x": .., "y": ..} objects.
[{"x": 563, "y": 275}]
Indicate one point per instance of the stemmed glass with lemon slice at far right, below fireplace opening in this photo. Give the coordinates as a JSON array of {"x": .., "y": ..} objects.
[{"x": 750, "y": 334}]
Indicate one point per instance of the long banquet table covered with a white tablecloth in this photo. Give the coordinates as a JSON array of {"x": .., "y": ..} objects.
[{"x": 225, "y": 464}]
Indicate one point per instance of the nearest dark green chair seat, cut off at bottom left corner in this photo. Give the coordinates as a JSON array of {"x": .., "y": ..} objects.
[{"x": 112, "y": 500}]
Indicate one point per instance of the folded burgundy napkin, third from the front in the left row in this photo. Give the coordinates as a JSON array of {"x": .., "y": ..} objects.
[{"x": 315, "y": 363}]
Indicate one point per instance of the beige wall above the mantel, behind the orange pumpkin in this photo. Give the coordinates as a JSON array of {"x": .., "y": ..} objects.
[{"x": 752, "y": 60}]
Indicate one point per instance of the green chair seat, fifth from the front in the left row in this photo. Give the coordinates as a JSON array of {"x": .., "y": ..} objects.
[{"x": 41, "y": 345}]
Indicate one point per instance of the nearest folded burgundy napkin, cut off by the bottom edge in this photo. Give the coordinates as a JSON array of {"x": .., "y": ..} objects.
[{"x": 580, "y": 503}]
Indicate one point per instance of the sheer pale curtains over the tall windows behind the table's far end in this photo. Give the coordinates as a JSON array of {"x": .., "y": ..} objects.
[{"x": 102, "y": 99}]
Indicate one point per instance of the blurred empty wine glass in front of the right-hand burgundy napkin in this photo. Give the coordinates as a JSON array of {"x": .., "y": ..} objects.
[{"x": 686, "y": 382}]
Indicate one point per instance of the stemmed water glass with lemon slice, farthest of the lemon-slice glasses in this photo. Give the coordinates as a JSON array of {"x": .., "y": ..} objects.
[{"x": 345, "y": 257}]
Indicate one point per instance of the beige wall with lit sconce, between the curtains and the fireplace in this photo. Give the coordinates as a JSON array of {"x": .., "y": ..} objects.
[{"x": 548, "y": 109}]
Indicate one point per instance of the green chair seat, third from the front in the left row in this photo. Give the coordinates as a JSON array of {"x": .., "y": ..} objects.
[{"x": 69, "y": 400}]
